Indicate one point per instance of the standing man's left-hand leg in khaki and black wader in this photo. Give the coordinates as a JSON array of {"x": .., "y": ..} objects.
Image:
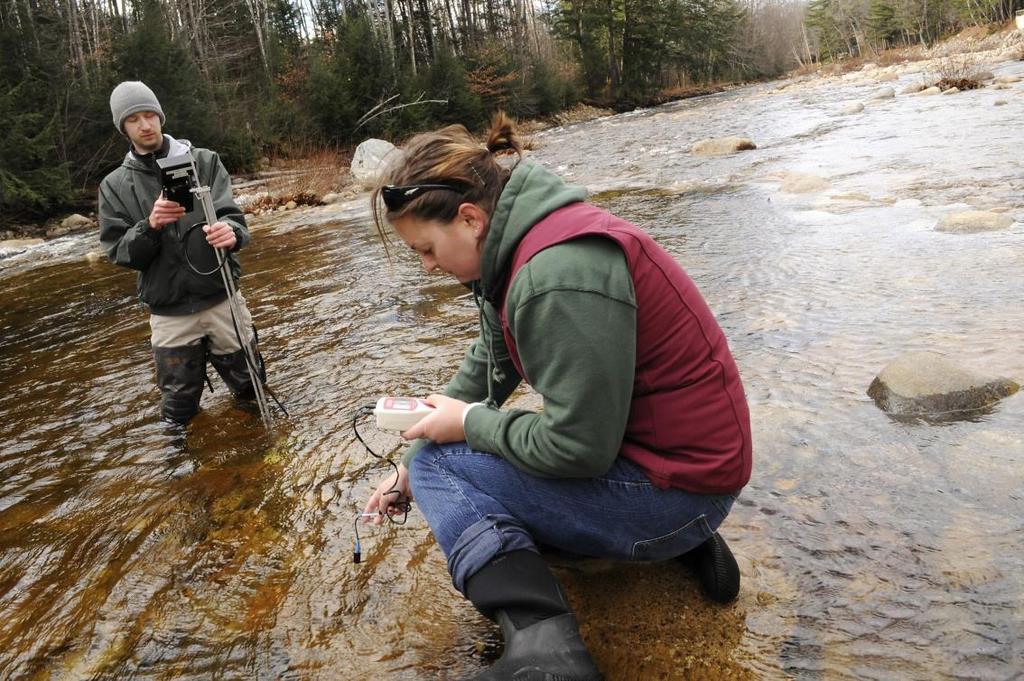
[{"x": 180, "y": 354}]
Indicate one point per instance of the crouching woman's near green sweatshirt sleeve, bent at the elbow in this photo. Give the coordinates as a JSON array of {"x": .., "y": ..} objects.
[{"x": 573, "y": 313}]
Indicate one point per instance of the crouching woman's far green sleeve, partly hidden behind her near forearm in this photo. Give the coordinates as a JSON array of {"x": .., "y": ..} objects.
[{"x": 471, "y": 382}]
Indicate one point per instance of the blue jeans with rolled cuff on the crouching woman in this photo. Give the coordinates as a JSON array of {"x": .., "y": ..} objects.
[{"x": 480, "y": 506}]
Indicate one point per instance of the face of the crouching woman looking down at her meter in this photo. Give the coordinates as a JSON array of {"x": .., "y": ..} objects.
[{"x": 453, "y": 247}]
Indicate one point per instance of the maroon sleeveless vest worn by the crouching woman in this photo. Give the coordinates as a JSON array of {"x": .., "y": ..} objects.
[{"x": 690, "y": 427}]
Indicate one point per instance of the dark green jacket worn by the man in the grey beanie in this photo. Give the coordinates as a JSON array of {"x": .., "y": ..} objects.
[{"x": 166, "y": 283}]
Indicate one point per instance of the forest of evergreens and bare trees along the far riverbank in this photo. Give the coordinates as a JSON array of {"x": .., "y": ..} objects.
[{"x": 290, "y": 78}]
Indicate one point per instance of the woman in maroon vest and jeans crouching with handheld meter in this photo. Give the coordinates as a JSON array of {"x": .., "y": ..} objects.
[{"x": 645, "y": 441}]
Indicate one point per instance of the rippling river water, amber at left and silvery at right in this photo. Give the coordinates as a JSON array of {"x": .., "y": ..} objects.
[{"x": 870, "y": 548}]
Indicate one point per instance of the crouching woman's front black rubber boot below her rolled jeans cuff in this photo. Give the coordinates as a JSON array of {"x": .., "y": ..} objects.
[{"x": 542, "y": 640}]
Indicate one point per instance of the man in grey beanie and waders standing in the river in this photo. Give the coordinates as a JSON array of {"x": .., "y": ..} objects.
[{"x": 191, "y": 317}]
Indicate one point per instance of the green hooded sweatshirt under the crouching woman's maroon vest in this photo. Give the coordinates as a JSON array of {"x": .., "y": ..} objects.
[{"x": 573, "y": 312}]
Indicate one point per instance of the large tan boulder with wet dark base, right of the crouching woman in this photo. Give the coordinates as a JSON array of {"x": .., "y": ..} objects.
[{"x": 926, "y": 386}]
